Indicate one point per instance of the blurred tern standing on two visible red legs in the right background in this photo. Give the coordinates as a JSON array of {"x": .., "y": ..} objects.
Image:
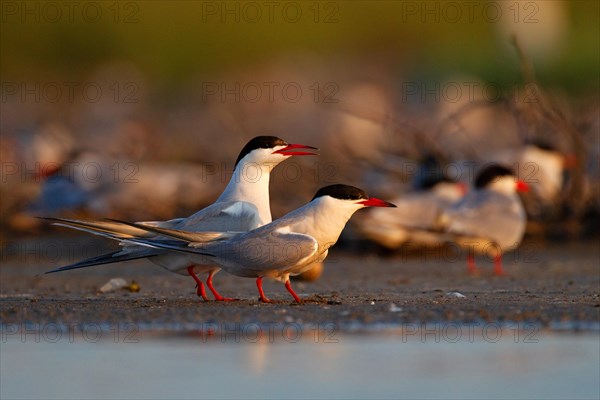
[{"x": 490, "y": 219}]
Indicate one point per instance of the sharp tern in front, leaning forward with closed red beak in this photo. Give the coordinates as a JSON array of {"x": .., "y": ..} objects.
[{"x": 286, "y": 246}]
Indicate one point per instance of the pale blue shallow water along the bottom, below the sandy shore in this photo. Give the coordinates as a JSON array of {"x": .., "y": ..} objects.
[{"x": 429, "y": 363}]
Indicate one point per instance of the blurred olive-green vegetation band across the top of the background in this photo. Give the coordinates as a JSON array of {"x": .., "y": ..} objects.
[{"x": 173, "y": 41}]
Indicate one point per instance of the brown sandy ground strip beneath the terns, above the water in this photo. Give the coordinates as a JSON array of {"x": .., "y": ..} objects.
[{"x": 548, "y": 284}]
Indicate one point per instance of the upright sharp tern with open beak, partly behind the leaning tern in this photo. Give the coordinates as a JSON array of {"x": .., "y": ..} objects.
[{"x": 243, "y": 206}]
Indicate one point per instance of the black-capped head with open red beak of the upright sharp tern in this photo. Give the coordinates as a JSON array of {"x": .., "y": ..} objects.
[{"x": 270, "y": 150}]
